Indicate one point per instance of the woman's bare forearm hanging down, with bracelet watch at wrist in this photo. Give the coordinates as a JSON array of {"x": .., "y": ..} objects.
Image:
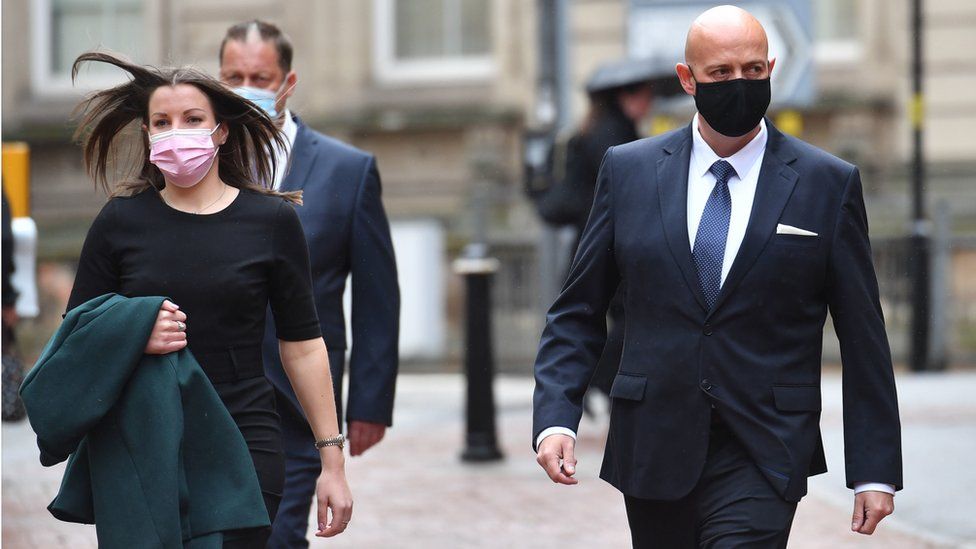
[{"x": 307, "y": 365}]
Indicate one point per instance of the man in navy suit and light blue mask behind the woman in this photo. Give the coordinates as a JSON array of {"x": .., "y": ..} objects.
[{"x": 348, "y": 234}]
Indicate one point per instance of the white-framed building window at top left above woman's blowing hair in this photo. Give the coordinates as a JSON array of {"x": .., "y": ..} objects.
[{"x": 63, "y": 29}]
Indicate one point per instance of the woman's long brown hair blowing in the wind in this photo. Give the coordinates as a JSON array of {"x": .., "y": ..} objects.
[{"x": 110, "y": 118}]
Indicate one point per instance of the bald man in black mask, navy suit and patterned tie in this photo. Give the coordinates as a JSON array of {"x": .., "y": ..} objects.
[{"x": 732, "y": 241}]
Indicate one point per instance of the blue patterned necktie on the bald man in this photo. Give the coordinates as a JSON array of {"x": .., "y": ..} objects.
[{"x": 713, "y": 231}]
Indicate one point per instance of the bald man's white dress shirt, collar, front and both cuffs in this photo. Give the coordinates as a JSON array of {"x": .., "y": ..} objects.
[{"x": 747, "y": 162}]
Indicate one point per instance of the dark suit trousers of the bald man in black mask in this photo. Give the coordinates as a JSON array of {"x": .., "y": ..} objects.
[{"x": 733, "y": 505}]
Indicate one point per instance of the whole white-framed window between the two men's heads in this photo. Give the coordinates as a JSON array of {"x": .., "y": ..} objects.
[{"x": 418, "y": 40}]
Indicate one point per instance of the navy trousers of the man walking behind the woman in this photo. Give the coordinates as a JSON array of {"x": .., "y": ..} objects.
[{"x": 302, "y": 465}]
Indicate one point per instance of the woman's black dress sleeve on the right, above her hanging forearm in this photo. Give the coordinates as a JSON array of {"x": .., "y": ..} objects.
[{"x": 291, "y": 280}]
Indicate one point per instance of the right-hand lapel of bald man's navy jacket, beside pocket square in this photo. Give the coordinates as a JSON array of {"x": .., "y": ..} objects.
[{"x": 776, "y": 182}]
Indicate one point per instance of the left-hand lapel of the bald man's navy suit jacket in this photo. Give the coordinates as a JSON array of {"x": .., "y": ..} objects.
[{"x": 672, "y": 188}]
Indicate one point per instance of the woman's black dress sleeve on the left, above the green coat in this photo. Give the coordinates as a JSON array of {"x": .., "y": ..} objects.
[{"x": 98, "y": 270}]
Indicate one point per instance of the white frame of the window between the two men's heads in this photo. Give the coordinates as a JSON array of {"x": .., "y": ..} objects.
[{"x": 390, "y": 70}]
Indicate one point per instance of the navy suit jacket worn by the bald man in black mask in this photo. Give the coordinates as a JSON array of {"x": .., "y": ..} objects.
[{"x": 756, "y": 355}]
